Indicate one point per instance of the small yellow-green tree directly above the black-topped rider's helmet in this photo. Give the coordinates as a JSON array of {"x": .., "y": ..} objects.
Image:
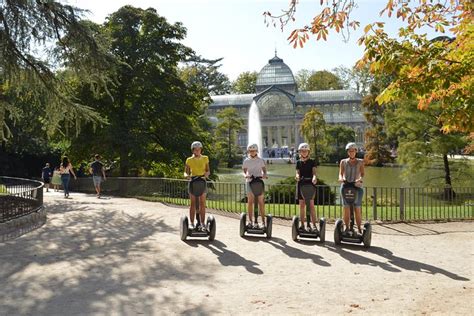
[{"x": 313, "y": 128}]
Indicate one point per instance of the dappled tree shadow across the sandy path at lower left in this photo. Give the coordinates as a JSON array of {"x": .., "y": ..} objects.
[{"x": 90, "y": 262}]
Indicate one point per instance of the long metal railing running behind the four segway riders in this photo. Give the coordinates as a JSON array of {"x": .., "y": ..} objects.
[{"x": 379, "y": 203}]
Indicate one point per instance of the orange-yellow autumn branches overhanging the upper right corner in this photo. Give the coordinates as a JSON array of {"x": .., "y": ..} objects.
[{"x": 434, "y": 71}]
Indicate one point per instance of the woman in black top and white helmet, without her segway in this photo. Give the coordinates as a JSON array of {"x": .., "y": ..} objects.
[{"x": 305, "y": 169}]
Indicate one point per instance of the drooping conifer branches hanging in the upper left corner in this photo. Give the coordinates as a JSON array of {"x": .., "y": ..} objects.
[{"x": 28, "y": 30}]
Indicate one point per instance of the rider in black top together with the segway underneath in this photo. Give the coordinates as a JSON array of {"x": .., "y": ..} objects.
[{"x": 306, "y": 191}]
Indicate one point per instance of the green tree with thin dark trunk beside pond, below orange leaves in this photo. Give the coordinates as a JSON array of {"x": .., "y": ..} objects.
[{"x": 423, "y": 145}]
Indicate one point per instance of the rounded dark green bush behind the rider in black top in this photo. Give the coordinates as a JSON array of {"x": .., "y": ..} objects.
[{"x": 285, "y": 192}]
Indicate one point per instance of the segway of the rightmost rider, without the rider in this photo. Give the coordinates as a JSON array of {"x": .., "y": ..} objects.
[{"x": 349, "y": 191}]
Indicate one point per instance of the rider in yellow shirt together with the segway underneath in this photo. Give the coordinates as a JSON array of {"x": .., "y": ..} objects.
[{"x": 197, "y": 170}]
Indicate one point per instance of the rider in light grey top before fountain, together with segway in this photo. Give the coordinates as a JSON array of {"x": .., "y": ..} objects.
[{"x": 254, "y": 171}]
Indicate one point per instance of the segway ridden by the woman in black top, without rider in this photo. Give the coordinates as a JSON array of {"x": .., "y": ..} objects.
[{"x": 308, "y": 190}]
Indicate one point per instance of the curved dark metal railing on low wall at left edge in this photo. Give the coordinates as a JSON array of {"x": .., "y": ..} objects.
[{"x": 19, "y": 197}]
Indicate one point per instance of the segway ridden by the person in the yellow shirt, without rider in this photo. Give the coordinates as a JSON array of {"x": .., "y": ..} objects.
[{"x": 197, "y": 187}]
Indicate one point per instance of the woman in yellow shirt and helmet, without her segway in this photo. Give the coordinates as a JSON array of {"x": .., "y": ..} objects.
[{"x": 197, "y": 166}]
